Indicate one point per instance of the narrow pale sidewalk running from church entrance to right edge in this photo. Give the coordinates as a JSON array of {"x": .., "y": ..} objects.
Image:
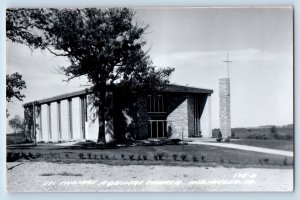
[{"x": 246, "y": 148}]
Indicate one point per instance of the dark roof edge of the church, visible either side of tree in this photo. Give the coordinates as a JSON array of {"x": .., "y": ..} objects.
[{"x": 170, "y": 88}]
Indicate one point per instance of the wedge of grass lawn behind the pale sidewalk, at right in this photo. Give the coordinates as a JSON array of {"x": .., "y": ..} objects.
[{"x": 286, "y": 145}]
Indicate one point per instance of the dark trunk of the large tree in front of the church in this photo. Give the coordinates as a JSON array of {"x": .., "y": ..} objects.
[{"x": 101, "y": 117}]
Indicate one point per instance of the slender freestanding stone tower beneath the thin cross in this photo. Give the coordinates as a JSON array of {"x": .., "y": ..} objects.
[{"x": 224, "y": 98}]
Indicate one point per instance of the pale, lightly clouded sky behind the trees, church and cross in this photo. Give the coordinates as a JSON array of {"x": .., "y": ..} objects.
[{"x": 195, "y": 42}]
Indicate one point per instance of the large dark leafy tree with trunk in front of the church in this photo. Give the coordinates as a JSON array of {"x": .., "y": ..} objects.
[{"x": 105, "y": 45}]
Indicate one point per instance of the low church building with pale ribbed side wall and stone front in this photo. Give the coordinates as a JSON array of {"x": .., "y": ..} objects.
[{"x": 175, "y": 113}]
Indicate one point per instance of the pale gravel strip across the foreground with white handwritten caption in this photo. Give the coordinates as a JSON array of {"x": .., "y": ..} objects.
[{"x": 54, "y": 177}]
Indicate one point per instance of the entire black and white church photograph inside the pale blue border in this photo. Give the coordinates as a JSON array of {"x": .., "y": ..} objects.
[{"x": 150, "y": 99}]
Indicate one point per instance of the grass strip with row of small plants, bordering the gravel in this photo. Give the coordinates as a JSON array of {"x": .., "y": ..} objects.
[{"x": 191, "y": 155}]
